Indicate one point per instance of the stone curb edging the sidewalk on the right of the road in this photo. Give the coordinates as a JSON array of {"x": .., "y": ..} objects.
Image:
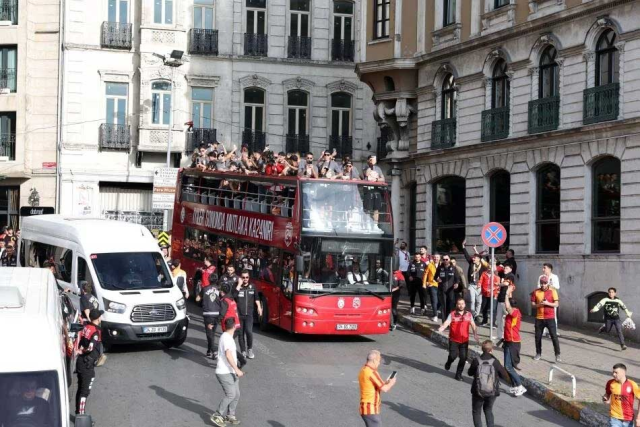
[{"x": 535, "y": 389}]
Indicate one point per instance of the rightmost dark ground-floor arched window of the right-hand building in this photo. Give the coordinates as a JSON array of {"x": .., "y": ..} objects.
[{"x": 606, "y": 205}]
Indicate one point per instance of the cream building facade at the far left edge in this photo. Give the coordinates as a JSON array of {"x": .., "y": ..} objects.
[{"x": 29, "y": 45}]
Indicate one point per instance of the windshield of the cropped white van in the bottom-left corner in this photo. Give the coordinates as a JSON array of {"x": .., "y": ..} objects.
[{"x": 30, "y": 399}]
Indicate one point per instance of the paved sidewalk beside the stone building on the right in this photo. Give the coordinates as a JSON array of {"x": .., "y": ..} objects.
[{"x": 587, "y": 355}]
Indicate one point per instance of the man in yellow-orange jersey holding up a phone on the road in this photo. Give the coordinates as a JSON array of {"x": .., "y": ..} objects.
[{"x": 370, "y": 387}]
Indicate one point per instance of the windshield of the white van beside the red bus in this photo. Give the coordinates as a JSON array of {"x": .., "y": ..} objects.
[{"x": 131, "y": 270}]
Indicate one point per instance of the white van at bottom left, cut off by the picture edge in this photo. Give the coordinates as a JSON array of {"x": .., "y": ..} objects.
[{"x": 33, "y": 368}]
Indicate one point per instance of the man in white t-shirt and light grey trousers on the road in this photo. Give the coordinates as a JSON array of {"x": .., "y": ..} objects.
[{"x": 228, "y": 375}]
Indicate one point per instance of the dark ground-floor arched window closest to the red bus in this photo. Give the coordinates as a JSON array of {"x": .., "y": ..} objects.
[{"x": 449, "y": 210}]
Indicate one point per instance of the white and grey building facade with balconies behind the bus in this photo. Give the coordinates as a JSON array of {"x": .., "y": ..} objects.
[{"x": 256, "y": 72}]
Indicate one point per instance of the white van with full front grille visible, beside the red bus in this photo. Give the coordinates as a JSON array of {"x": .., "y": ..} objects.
[{"x": 122, "y": 262}]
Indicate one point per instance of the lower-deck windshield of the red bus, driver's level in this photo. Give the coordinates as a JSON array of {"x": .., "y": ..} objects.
[{"x": 336, "y": 265}]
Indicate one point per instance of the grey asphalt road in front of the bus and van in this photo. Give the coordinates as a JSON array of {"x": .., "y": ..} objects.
[{"x": 293, "y": 381}]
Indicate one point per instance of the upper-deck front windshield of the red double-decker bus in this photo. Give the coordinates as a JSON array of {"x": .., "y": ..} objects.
[{"x": 346, "y": 208}]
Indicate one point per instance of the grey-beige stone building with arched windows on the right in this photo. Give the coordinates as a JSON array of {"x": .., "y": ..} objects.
[{"x": 521, "y": 112}]
